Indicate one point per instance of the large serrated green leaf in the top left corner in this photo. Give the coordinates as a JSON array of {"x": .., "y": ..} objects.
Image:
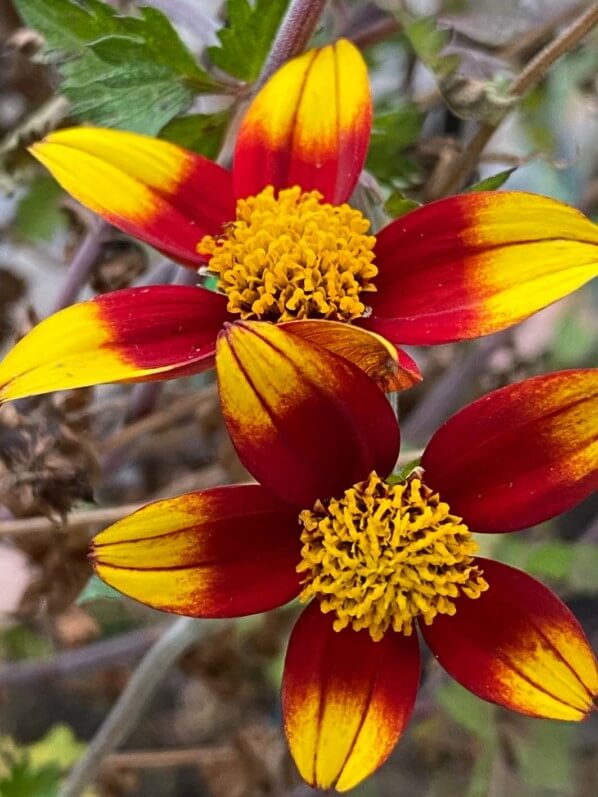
[{"x": 120, "y": 71}]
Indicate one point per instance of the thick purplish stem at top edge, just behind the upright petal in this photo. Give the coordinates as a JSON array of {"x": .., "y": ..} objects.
[{"x": 293, "y": 35}]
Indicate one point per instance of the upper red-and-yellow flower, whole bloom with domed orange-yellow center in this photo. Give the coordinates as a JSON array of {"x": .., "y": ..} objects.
[{"x": 283, "y": 245}]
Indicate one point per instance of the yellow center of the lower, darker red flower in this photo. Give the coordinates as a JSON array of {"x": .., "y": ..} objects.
[{"x": 385, "y": 554}]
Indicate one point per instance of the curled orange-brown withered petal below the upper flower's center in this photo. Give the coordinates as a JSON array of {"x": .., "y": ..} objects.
[{"x": 390, "y": 367}]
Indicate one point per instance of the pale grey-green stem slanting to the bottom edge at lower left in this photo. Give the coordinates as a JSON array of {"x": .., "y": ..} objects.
[{"x": 181, "y": 635}]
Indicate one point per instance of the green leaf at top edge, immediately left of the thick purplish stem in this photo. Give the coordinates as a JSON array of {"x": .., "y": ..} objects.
[{"x": 247, "y": 37}]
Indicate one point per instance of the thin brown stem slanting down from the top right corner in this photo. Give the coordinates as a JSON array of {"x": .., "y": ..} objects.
[{"x": 461, "y": 169}]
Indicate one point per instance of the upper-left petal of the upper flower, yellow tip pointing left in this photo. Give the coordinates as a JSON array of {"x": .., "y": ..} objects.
[{"x": 158, "y": 192}]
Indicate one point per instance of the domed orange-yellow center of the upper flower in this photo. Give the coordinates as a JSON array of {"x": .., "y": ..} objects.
[{"x": 292, "y": 256}]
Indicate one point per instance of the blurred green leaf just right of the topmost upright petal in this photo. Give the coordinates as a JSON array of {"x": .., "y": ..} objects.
[{"x": 393, "y": 131}]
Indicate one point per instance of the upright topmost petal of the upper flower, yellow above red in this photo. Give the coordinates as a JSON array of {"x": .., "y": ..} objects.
[{"x": 309, "y": 126}]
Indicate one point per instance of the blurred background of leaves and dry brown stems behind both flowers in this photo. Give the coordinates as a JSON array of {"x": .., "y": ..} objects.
[{"x": 182, "y": 70}]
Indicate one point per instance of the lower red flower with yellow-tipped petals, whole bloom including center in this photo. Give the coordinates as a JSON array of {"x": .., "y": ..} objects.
[{"x": 375, "y": 557}]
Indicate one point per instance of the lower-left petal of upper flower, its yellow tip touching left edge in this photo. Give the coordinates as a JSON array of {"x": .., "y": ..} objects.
[{"x": 136, "y": 334}]
